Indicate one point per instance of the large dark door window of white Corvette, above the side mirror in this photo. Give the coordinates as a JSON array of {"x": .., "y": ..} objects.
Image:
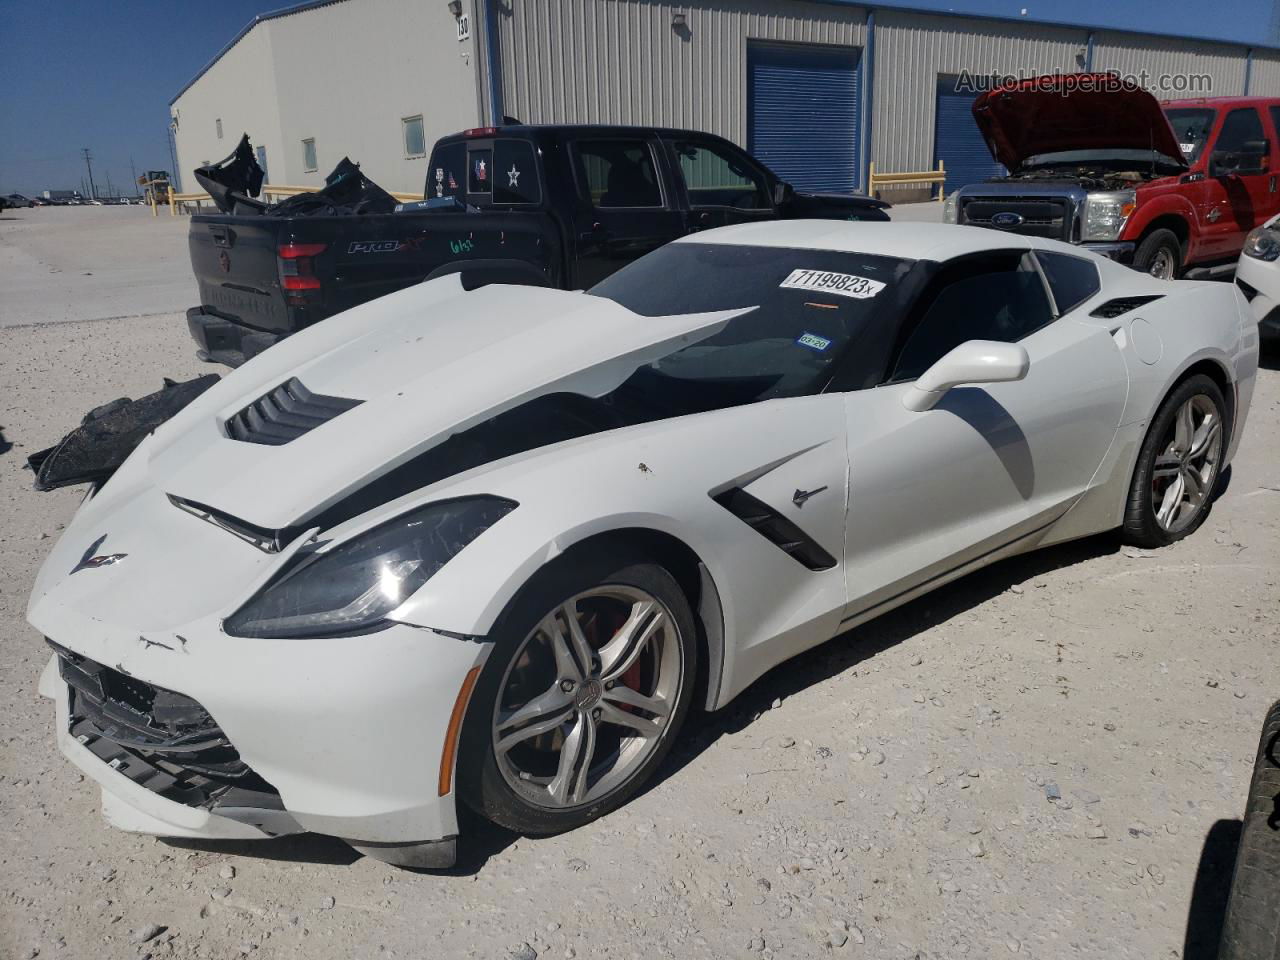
[{"x": 989, "y": 303}]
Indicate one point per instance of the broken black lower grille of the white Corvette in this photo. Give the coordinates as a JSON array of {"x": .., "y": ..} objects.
[{"x": 161, "y": 740}]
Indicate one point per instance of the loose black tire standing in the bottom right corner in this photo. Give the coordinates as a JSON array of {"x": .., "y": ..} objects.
[{"x": 1251, "y": 930}]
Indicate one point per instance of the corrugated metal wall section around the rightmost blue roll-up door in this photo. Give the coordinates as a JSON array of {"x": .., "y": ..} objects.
[{"x": 912, "y": 51}]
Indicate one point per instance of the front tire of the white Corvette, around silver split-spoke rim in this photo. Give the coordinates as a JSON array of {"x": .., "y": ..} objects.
[{"x": 609, "y": 588}]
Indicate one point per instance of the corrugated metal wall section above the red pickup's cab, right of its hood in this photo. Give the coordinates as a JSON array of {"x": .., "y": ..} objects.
[{"x": 1163, "y": 60}]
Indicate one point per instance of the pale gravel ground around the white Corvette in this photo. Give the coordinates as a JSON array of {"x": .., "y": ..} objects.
[{"x": 1044, "y": 760}]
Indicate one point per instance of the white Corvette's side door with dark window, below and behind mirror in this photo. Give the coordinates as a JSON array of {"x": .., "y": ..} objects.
[{"x": 990, "y": 465}]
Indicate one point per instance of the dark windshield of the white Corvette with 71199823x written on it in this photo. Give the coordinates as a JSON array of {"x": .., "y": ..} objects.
[{"x": 808, "y": 308}]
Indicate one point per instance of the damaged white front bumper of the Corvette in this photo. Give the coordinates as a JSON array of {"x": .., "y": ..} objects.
[{"x": 348, "y": 739}]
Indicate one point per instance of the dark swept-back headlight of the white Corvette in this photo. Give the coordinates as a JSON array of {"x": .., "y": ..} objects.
[{"x": 354, "y": 587}]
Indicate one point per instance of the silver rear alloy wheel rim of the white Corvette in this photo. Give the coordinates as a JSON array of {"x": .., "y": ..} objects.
[{"x": 1186, "y": 472}]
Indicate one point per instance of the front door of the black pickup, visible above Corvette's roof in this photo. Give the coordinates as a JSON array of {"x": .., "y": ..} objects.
[{"x": 723, "y": 185}]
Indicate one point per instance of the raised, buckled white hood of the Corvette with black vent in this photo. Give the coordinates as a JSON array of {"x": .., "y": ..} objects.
[{"x": 404, "y": 374}]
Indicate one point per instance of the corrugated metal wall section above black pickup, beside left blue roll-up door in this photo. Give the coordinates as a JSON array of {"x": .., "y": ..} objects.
[{"x": 624, "y": 62}]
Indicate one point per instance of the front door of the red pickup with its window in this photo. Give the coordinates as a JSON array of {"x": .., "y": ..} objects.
[{"x": 1235, "y": 199}]
